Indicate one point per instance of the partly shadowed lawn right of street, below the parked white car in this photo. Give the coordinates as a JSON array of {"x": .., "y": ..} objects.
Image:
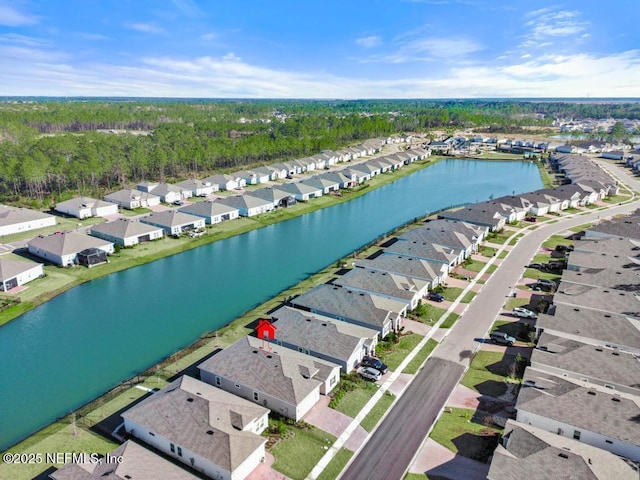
[{"x": 488, "y": 372}]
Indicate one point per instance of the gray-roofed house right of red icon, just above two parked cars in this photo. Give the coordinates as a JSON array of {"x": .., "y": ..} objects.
[{"x": 327, "y": 338}]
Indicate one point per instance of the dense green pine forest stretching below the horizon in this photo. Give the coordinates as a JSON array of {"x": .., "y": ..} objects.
[{"x": 51, "y": 149}]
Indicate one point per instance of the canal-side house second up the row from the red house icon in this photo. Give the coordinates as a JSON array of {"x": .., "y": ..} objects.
[{"x": 367, "y": 310}]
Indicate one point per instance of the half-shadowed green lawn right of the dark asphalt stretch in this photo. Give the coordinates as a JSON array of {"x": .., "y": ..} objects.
[{"x": 461, "y": 431}]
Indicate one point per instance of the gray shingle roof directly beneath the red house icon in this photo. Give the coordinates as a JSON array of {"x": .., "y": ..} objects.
[{"x": 279, "y": 372}]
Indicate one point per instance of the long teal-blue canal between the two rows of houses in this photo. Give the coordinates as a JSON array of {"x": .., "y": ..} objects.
[{"x": 75, "y": 347}]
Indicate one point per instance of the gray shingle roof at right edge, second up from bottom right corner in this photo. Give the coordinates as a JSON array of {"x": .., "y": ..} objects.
[{"x": 583, "y": 408}]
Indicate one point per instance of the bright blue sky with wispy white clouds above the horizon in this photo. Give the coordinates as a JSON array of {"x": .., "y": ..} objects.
[{"x": 327, "y": 49}]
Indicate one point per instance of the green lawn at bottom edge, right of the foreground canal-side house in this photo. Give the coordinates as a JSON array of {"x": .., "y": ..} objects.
[{"x": 297, "y": 455}]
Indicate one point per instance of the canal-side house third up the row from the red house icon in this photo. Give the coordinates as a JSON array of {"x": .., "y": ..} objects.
[{"x": 386, "y": 284}]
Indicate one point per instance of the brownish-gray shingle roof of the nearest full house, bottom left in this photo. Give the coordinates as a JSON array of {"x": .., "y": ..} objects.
[{"x": 187, "y": 409}]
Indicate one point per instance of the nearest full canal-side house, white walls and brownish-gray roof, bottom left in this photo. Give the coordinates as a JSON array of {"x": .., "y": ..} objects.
[{"x": 212, "y": 431}]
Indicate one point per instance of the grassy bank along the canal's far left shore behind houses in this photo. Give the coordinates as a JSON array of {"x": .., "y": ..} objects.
[{"x": 58, "y": 280}]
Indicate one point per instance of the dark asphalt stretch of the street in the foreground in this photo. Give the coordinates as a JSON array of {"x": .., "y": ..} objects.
[{"x": 388, "y": 453}]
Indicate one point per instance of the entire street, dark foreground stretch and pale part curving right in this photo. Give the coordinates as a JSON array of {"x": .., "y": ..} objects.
[{"x": 389, "y": 451}]
